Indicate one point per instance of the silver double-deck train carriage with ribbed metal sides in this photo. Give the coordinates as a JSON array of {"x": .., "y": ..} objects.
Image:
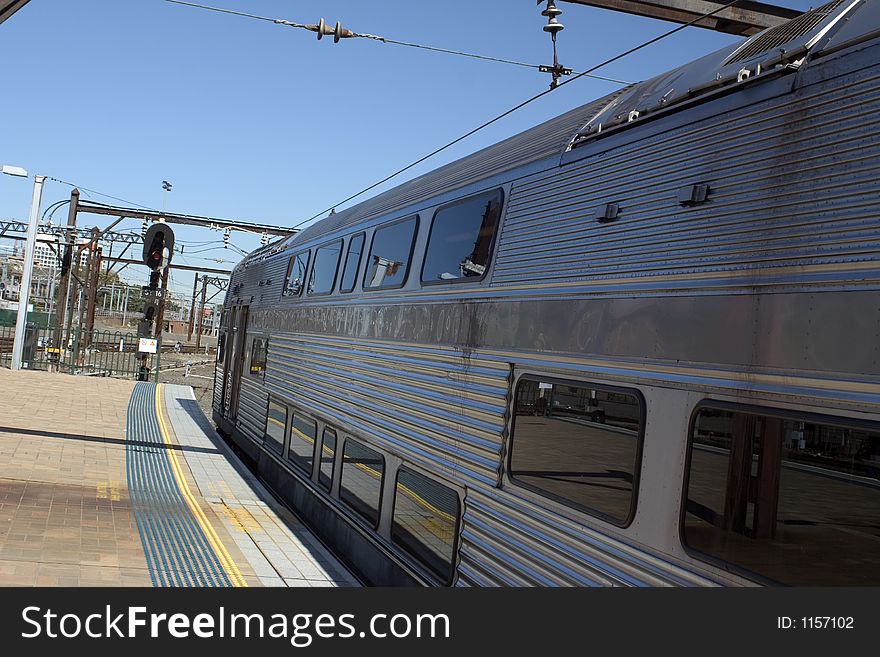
[{"x": 636, "y": 345}]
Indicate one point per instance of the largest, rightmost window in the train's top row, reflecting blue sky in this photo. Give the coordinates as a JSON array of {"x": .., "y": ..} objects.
[{"x": 461, "y": 239}]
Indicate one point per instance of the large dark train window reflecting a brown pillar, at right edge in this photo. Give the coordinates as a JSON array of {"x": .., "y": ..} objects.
[{"x": 791, "y": 498}]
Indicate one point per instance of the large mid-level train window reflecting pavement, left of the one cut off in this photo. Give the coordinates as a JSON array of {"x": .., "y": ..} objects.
[{"x": 580, "y": 444}]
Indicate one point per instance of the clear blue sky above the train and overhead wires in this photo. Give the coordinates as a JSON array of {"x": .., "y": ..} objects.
[{"x": 259, "y": 122}]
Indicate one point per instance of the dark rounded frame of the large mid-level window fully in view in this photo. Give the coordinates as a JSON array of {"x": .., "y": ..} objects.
[{"x": 565, "y": 502}]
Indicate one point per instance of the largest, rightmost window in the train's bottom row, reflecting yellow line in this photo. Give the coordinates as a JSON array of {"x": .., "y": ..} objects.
[{"x": 426, "y": 521}]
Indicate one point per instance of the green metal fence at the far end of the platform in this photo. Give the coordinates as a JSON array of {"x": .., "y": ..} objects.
[{"x": 110, "y": 353}]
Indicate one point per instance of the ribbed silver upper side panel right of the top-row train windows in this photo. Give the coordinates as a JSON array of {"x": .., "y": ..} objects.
[{"x": 797, "y": 183}]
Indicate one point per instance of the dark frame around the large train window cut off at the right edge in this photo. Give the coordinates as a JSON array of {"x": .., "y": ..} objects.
[{"x": 827, "y": 419}]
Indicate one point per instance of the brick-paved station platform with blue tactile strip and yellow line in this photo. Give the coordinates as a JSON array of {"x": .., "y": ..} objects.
[{"x": 105, "y": 482}]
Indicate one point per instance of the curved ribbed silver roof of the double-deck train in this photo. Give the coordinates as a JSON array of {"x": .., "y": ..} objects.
[{"x": 825, "y": 27}]
